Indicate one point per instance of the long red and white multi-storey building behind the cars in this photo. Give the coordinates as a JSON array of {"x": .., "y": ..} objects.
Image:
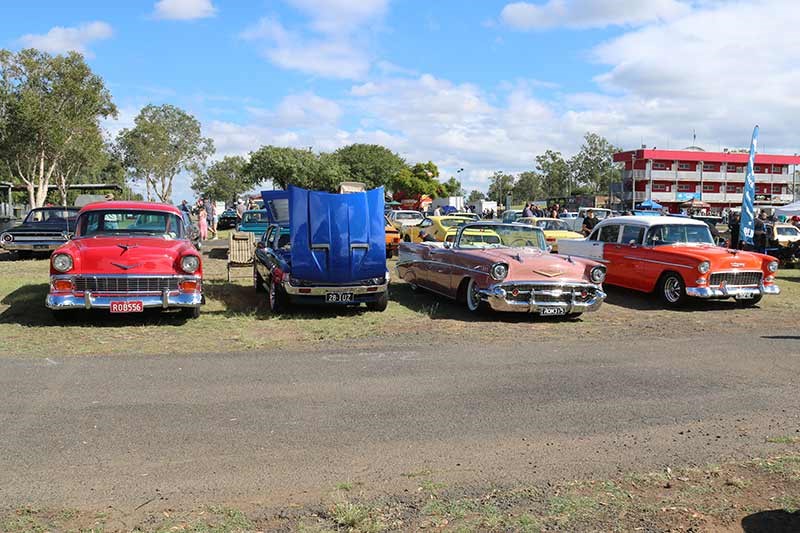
[{"x": 671, "y": 177}]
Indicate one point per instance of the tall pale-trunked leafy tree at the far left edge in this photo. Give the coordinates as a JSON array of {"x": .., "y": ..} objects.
[{"x": 50, "y": 111}]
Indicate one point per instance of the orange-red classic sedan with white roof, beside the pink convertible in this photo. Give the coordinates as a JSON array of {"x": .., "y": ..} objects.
[{"x": 677, "y": 257}]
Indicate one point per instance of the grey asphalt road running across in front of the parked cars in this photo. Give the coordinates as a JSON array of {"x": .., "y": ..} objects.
[{"x": 275, "y": 428}]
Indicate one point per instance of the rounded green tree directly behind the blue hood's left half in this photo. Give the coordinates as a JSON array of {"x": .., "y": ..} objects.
[{"x": 292, "y": 166}]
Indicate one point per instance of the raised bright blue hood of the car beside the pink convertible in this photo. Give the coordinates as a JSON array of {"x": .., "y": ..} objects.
[{"x": 337, "y": 238}]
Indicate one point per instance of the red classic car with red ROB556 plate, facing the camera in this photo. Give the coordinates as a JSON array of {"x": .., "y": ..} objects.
[{"x": 125, "y": 257}]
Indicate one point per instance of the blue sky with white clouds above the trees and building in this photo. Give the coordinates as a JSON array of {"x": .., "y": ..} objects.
[{"x": 480, "y": 85}]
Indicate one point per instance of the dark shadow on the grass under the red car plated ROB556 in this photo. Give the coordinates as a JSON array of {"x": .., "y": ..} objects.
[{"x": 26, "y": 308}]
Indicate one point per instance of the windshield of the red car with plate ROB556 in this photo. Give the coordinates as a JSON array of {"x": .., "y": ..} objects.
[{"x": 130, "y": 221}]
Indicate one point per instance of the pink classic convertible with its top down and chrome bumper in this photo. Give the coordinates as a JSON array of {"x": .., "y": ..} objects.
[{"x": 506, "y": 267}]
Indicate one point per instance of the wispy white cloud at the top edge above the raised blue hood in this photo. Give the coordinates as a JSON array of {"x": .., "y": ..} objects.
[{"x": 333, "y": 46}]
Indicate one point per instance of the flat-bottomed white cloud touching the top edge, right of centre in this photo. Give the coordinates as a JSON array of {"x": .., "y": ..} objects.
[{"x": 589, "y": 13}]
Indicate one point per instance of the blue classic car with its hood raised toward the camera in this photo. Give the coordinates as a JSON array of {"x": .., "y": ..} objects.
[{"x": 323, "y": 248}]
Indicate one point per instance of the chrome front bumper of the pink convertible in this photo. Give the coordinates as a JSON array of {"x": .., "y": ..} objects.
[{"x": 497, "y": 296}]
